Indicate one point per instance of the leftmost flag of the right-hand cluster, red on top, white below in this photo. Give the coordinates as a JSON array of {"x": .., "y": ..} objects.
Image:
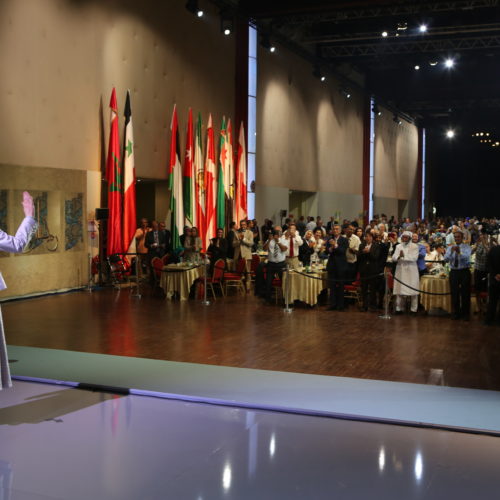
[{"x": 175, "y": 184}]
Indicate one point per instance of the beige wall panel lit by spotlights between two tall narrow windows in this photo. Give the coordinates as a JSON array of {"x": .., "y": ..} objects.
[{"x": 309, "y": 137}]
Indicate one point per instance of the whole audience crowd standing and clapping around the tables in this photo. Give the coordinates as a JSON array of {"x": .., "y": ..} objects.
[{"x": 465, "y": 249}]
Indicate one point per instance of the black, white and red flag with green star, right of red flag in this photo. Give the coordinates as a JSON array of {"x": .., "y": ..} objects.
[{"x": 129, "y": 207}]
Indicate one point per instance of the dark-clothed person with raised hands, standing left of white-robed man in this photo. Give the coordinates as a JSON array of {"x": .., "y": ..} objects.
[{"x": 368, "y": 264}]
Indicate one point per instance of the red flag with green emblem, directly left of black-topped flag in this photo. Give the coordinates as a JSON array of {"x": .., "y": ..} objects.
[{"x": 114, "y": 178}]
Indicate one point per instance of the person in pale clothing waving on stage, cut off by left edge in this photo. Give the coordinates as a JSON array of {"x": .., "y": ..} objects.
[{"x": 14, "y": 244}]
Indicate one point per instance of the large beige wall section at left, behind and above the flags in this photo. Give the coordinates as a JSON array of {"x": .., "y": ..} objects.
[{"x": 60, "y": 58}]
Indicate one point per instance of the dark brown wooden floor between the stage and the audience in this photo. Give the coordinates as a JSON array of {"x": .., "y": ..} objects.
[{"x": 243, "y": 332}]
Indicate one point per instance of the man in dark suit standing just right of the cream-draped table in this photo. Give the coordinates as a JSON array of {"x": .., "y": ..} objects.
[{"x": 337, "y": 268}]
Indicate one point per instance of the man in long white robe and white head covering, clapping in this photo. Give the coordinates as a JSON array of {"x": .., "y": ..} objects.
[{"x": 406, "y": 256}]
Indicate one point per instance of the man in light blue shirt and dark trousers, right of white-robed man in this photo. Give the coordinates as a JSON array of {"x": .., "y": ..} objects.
[{"x": 458, "y": 256}]
